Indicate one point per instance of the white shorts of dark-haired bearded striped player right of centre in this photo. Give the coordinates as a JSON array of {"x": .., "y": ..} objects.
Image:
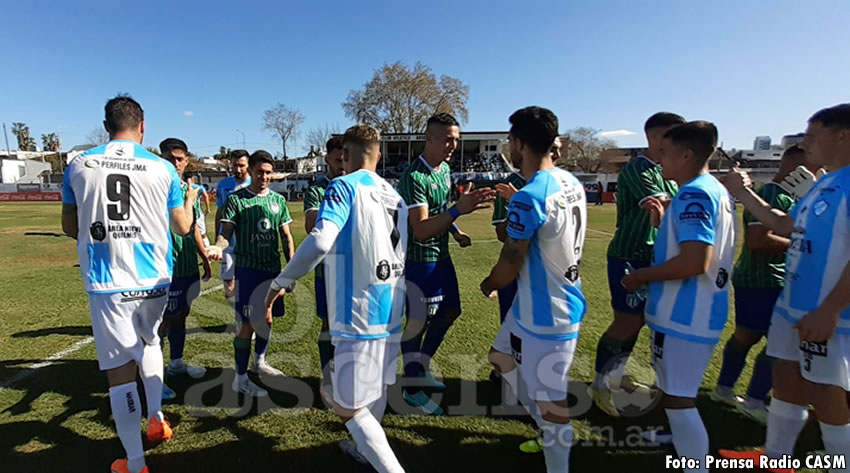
[{"x": 543, "y": 364}]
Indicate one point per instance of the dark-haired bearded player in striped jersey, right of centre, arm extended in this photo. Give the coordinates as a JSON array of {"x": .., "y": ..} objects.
[{"x": 542, "y": 252}]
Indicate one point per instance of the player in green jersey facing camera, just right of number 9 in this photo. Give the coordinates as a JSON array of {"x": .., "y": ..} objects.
[{"x": 258, "y": 219}]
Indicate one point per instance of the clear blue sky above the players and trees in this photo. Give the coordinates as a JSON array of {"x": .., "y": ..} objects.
[{"x": 201, "y": 71}]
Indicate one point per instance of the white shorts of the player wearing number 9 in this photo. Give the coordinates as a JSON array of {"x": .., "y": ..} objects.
[{"x": 123, "y": 323}]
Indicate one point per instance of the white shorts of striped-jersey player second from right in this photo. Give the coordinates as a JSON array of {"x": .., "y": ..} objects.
[{"x": 679, "y": 364}]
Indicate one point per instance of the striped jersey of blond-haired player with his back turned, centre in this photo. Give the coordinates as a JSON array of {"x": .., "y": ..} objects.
[{"x": 364, "y": 271}]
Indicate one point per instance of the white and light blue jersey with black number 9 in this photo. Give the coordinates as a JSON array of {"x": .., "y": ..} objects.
[{"x": 123, "y": 194}]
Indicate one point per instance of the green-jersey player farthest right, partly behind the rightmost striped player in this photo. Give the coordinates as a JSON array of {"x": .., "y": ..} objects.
[{"x": 758, "y": 279}]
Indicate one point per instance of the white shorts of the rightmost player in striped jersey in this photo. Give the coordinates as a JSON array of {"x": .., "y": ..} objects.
[{"x": 822, "y": 363}]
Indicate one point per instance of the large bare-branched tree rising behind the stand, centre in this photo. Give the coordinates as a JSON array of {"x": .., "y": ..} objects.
[{"x": 399, "y": 99}]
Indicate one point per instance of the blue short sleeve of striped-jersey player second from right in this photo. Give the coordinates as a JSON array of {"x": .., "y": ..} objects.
[{"x": 694, "y": 214}]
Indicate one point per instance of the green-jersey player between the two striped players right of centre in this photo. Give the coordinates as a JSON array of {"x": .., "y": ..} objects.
[{"x": 631, "y": 245}]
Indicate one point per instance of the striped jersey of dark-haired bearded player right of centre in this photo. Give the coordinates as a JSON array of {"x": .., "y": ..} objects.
[{"x": 551, "y": 211}]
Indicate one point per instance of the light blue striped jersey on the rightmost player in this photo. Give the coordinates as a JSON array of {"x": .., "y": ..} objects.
[{"x": 820, "y": 248}]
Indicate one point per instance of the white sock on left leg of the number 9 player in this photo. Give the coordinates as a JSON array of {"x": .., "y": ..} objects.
[{"x": 127, "y": 411}]
